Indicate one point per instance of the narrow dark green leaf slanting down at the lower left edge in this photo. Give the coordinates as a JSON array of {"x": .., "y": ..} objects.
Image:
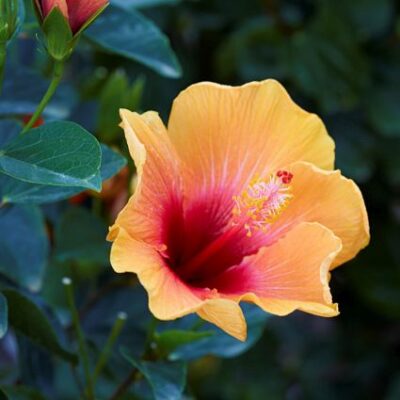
[{"x": 29, "y": 320}]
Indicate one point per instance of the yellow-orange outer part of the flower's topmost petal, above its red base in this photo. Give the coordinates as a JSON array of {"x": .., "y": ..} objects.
[{"x": 226, "y": 135}]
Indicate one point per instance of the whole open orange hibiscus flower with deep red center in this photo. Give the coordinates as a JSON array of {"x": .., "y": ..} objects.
[{"x": 236, "y": 201}]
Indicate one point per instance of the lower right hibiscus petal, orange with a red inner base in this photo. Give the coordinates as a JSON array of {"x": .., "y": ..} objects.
[{"x": 291, "y": 274}]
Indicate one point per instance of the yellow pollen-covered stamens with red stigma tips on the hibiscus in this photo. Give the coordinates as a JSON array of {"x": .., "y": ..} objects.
[{"x": 262, "y": 202}]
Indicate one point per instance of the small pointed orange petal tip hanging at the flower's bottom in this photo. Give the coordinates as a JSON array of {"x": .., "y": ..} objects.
[{"x": 227, "y": 315}]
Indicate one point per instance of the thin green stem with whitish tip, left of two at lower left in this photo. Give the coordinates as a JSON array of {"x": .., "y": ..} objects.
[{"x": 89, "y": 392}]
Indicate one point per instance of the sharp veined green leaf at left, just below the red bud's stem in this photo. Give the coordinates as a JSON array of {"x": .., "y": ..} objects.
[{"x": 58, "y": 153}]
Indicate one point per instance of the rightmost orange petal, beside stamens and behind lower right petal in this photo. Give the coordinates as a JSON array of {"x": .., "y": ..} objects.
[{"x": 330, "y": 199}]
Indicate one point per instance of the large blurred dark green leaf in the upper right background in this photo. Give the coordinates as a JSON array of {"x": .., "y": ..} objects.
[{"x": 322, "y": 60}]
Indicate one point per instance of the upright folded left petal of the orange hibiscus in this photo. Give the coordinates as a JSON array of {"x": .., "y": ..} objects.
[{"x": 157, "y": 196}]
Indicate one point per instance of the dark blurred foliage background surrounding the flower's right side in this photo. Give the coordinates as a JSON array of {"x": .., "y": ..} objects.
[{"x": 341, "y": 60}]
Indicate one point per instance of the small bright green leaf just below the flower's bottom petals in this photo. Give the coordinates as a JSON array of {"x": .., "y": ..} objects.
[{"x": 169, "y": 340}]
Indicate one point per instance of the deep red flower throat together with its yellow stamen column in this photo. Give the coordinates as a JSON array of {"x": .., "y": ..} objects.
[{"x": 204, "y": 243}]
